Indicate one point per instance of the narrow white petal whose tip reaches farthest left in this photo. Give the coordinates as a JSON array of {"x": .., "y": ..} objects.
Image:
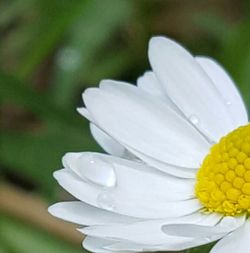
[{"x": 84, "y": 214}]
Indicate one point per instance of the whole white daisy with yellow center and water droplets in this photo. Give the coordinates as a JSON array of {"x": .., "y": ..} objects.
[{"x": 166, "y": 184}]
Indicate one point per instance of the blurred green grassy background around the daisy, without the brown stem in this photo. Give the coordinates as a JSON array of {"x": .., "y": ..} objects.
[{"x": 51, "y": 50}]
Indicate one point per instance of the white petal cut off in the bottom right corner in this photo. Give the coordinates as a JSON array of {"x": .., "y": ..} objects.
[{"x": 238, "y": 241}]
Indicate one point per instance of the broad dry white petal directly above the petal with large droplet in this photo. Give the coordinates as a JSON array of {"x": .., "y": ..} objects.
[{"x": 135, "y": 119}]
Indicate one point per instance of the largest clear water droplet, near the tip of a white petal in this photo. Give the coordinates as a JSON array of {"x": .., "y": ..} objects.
[{"x": 97, "y": 170}]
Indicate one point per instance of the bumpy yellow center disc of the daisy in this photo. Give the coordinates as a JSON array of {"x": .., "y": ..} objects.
[{"x": 223, "y": 181}]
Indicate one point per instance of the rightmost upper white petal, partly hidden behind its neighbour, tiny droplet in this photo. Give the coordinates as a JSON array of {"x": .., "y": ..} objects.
[{"x": 227, "y": 89}]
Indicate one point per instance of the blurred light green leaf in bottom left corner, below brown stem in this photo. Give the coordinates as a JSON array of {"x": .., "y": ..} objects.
[{"x": 20, "y": 238}]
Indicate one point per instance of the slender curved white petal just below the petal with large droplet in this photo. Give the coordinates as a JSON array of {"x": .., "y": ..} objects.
[{"x": 109, "y": 199}]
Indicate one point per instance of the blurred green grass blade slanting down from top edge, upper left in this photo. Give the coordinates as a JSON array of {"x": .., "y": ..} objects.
[{"x": 55, "y": 18}]
